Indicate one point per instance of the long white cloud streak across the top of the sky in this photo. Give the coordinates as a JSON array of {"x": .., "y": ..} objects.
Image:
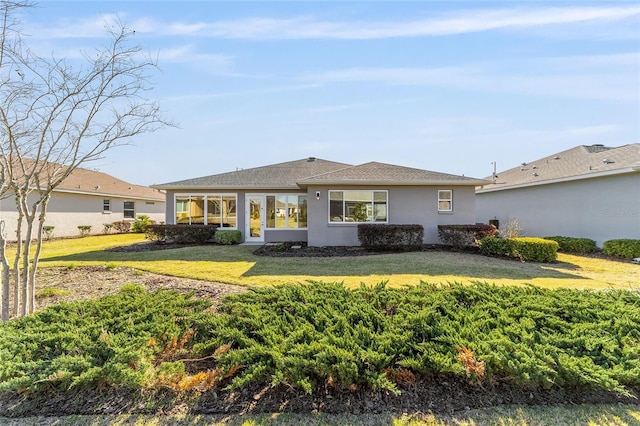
[{"x": 306, "y": 27}]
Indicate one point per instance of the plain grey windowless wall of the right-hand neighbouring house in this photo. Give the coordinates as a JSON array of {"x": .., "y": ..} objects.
[{"x": 601, "y": 208}]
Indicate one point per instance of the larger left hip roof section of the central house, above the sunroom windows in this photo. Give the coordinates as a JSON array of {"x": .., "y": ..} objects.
[{"x": 275, "y": 176}]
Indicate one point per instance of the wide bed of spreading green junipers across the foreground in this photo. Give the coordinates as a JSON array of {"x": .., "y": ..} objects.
[{"x": 274, "y": 333}]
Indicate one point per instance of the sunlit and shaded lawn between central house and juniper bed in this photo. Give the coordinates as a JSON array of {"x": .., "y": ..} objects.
[{"x": 238, "y": 265}]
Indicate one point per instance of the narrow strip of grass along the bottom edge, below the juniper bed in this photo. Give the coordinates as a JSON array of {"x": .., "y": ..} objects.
[{"x": 619, "y": 415}]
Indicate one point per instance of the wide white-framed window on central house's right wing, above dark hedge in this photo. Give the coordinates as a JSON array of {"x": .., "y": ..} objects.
[{"x": 357, "y": 206}]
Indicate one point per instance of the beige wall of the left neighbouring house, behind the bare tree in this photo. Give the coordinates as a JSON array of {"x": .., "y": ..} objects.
[{"x": 66, "y": 211}]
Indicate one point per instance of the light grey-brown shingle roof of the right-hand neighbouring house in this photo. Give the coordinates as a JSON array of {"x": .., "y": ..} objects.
[{"x": 581, "y": 162}]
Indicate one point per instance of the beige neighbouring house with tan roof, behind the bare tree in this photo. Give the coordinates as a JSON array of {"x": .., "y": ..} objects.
[{"x": 91, "y": 198}]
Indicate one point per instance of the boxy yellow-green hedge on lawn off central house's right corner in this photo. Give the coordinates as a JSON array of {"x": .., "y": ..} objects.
[{"x": 525, "y": 249}]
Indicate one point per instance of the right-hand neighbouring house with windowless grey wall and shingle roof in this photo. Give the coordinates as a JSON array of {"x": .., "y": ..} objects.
[{"x": 587, "y": 191}]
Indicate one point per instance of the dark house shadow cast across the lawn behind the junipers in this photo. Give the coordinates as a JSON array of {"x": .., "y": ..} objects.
[{"x": 413, "y": 263}]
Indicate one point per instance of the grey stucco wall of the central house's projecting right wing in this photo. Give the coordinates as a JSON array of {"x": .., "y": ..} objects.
[{"x": 406, "y": 205}]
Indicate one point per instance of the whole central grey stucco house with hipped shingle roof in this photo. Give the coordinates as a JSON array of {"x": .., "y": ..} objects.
[{"x": 321, "y": 201}]
